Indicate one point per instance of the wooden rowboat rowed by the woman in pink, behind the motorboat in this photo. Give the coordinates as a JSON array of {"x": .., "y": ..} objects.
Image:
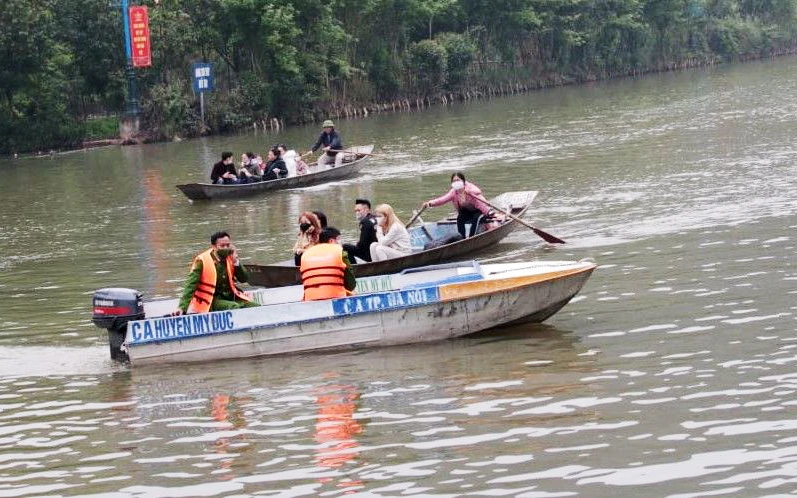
[{"x": 286, "y": 273}]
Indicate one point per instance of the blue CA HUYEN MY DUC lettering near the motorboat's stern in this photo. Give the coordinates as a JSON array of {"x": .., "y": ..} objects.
[{"x": 159, "y": 329}]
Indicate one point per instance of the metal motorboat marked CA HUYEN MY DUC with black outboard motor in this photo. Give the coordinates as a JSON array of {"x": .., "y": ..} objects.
[{"x": 418, "y": 305}]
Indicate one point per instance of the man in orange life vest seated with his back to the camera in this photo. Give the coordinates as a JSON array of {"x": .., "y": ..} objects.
[{"x": 326, "y": 270}]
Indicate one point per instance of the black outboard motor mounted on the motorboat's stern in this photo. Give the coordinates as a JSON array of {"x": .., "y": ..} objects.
[{"x": 112, "y": 308}]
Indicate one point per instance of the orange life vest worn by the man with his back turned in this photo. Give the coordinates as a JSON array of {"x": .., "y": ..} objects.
[{"x": 323, "y": 272}]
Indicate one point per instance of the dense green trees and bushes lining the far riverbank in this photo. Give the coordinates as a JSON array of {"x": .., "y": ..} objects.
[{"x": 63, "y": 60}]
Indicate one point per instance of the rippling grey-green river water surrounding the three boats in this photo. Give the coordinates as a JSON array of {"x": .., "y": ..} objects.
[{"x": 673, "y": 373}]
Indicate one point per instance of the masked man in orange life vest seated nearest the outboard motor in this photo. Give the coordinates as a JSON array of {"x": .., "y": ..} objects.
[{"x": 211, "y": 283}]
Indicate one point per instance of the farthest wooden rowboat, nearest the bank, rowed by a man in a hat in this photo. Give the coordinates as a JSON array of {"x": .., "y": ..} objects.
[{"x": 353, "y": 162}]
